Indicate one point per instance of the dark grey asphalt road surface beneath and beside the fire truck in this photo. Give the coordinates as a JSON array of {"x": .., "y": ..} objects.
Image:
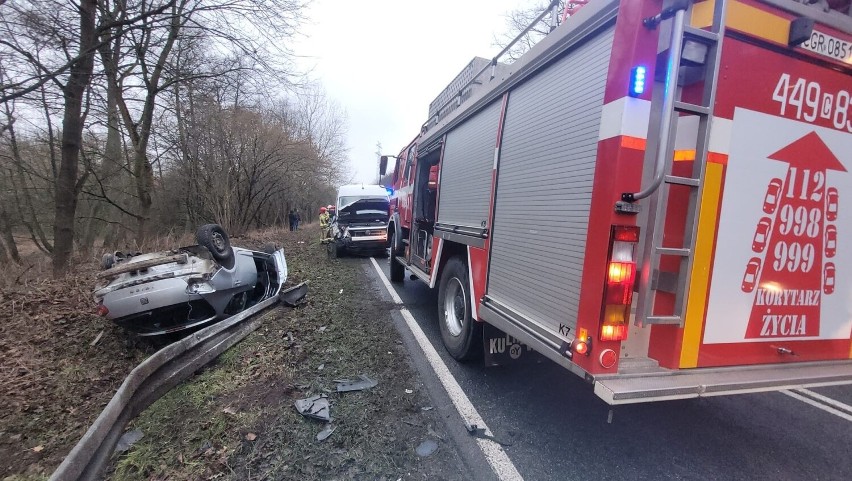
[{"x": 559, "y": 429}]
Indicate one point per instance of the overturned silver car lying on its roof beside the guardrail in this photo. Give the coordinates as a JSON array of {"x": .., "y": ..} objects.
[{"x": 169, "y": 291}]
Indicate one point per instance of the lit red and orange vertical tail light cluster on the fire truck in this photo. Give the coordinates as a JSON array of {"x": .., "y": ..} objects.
[{"x": 620, "y": 279}]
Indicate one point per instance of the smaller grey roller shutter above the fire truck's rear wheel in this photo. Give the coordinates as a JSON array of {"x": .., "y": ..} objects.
[{"x": 466, "y": 170}]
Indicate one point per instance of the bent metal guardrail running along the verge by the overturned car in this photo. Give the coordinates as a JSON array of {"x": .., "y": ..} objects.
[{"x": 150, "y": 380}]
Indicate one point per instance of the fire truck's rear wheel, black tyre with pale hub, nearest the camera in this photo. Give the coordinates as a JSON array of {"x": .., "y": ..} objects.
[{"x": 462, "y": 335}]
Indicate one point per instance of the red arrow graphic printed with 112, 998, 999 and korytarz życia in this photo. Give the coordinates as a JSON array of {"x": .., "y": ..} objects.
[{"x": 788, "y": 284}]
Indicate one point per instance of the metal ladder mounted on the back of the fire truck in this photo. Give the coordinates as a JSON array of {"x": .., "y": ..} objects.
[{"x": 693, "y": 55}]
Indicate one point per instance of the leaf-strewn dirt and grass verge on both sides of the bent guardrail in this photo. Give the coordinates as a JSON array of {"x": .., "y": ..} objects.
[{"x": 235, "y": 419}]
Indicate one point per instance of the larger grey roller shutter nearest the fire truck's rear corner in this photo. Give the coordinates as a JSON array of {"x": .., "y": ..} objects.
[{"x": 544, "y": 188}]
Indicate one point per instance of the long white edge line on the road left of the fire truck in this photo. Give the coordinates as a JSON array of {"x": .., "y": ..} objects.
[{"x": 494, "y": 453}]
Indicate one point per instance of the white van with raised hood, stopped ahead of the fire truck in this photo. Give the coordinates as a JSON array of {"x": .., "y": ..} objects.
[{"x": 360, "y": 222}]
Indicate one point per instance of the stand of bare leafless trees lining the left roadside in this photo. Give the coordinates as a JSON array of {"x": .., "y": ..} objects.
[{"x": 171, "y": 127}]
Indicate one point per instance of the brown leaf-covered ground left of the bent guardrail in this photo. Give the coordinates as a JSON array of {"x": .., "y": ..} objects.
[{"x": 54, "y": 379}]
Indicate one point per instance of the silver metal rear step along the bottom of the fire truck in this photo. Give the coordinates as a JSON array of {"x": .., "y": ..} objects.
[{"x": 628, "y": 389}]
